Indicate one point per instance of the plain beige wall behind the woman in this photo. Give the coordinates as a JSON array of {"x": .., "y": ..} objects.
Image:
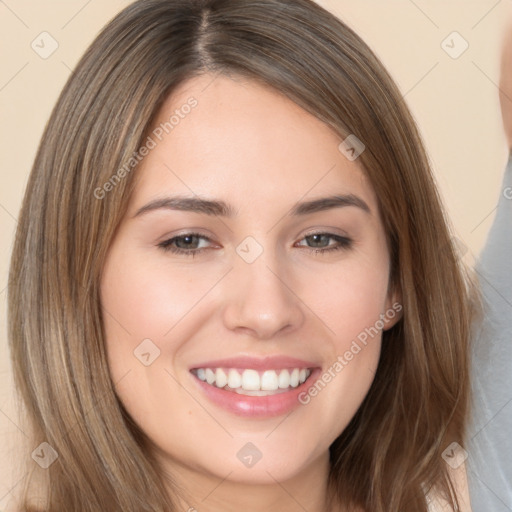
[{"x": 455, "y": 102}]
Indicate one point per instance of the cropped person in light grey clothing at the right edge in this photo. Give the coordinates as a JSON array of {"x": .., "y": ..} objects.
[{"x": 490, "y": 444}]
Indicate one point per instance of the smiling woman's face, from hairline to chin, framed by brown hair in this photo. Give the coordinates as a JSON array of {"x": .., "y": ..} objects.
[{"x": 252, "y": 256}]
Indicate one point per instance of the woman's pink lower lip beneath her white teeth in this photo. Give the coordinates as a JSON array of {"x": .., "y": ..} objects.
[{"x": 256, "y": 406}]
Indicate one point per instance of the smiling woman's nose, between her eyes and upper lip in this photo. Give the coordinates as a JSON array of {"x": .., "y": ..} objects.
[{"x": 260, "y": 299}]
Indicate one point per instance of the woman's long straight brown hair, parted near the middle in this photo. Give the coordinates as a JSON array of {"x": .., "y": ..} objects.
[{"x": 390, "y": 453}]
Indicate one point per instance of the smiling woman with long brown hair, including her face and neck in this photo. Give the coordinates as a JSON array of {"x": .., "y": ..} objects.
[{"x": 232, "y": 283}]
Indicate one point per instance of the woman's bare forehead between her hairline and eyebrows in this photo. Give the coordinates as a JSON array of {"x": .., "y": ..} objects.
[{"x": 241, "y": 141}]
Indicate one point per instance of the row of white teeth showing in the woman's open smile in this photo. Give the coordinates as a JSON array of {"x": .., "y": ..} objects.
[{"x": 252, "y": 382}]
